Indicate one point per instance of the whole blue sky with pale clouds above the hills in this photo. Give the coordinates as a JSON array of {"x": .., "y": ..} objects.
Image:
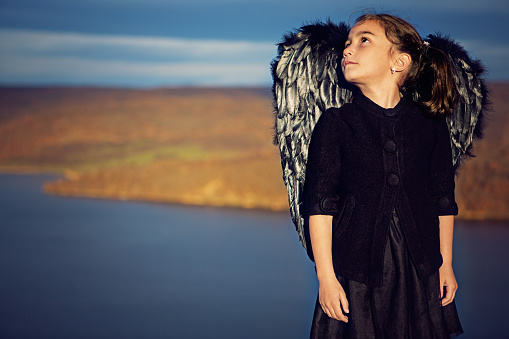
[{"x": 160, "y": 43}]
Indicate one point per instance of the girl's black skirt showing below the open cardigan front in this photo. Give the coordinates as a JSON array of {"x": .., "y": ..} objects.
[{"x": 404, "y": 306}]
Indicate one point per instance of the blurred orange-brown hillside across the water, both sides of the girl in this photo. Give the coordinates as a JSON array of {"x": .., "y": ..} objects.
[{"x": 192, "y": 146}]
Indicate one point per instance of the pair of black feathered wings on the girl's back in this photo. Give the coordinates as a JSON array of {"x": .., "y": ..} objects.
[{"x": 307, "y": 80}]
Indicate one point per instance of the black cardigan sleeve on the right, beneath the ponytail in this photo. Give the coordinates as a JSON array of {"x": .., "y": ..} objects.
[{"x": 442, "y": 172}]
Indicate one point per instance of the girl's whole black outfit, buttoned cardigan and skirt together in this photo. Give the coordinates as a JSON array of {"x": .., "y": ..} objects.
[{"x": 385, "y": 175}]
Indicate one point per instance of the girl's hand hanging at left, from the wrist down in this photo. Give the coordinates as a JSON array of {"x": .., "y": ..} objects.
[{"x": 332, "y": 298}]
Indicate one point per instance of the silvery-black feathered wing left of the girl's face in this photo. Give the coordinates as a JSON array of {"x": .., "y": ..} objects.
[{"x": 307, "y": 81}]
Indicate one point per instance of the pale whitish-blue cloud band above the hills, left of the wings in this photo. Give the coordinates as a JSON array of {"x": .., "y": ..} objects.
[{"x": 38, "y": 57}]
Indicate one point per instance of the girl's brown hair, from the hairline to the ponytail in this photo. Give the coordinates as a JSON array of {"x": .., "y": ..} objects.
[{"x": 430, "y": 72}]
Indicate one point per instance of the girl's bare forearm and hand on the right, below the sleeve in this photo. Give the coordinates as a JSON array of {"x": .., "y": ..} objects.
[{"x": 447, "y": 278}]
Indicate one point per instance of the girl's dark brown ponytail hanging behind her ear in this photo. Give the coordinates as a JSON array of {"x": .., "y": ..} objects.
[{"x": 435, "y": 81}]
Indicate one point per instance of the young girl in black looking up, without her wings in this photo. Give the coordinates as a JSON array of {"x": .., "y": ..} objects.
[{"x": 379, "y": 192}]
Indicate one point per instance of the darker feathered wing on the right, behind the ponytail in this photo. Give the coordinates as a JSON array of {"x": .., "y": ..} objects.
[{"x": 466, "y": 122}]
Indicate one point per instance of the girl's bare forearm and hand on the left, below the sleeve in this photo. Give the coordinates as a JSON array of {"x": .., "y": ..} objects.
[{"x": 331, "y": 294}]
